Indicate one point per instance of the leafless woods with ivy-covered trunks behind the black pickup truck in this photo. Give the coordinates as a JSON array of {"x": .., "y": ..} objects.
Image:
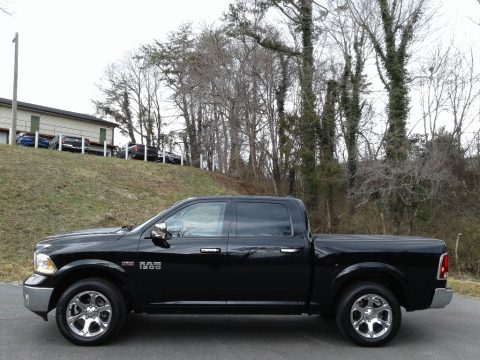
[{"x": 344, "y": 103}]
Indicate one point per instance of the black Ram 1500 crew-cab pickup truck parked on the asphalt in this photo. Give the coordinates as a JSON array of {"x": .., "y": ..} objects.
[{"x": 247, "y": 255}]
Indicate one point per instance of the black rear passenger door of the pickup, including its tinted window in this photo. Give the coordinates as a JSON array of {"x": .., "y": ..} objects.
[{"x": 267, "y": 255}]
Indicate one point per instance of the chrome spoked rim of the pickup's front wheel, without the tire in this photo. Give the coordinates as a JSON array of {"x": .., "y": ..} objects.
[{"x": 89, "y": 314}]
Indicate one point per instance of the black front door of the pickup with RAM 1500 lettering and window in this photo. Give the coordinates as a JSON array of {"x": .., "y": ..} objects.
[{"x": 189, "y": 268}]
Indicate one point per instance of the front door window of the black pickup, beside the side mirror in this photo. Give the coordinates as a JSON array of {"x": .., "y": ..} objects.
[{"x": 197, "y": 220}]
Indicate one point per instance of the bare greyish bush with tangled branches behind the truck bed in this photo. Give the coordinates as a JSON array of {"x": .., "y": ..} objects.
[{"x": 427, "y": 177}]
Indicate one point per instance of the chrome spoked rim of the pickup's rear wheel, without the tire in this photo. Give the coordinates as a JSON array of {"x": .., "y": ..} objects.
[{"x": 371, "y": 316}]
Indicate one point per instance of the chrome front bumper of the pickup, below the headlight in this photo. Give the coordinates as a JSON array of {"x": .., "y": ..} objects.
[{"x": 36, "y": 298}]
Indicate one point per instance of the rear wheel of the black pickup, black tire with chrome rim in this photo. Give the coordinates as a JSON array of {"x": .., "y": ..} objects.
[{"x": 378, "y": 323}]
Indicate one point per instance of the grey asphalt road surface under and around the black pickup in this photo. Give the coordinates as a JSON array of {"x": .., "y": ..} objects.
[{"x": 451, "y": 333}]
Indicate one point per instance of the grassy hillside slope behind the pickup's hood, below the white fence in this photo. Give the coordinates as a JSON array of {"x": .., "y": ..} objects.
[{"x": 44, "y": 192}]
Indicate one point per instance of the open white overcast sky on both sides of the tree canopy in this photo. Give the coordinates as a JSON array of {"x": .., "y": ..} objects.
[{"x": 65, "y": 46}]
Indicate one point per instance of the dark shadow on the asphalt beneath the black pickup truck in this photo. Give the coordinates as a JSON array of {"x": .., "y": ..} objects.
[{"x": 180, "y": 329}]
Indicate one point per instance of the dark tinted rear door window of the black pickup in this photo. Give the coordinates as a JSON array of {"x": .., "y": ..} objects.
[{"x": 262, "y": 219}]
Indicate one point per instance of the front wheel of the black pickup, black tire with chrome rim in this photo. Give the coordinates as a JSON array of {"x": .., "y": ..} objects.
[{"x": 109, "y": 297}]
